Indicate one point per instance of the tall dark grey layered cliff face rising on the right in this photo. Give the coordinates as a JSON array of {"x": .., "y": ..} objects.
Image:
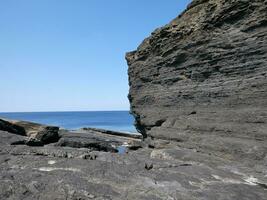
[{"x": 202, "y": 78}]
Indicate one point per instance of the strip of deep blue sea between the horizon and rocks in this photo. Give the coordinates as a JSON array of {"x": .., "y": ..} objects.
[{"x": 112, "y": 120}]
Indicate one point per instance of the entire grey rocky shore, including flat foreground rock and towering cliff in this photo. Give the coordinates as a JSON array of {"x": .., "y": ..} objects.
[{"x": 198, "y": 91}]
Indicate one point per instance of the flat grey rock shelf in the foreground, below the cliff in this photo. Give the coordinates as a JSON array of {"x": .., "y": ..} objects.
[{"x": 90, "y": 164}]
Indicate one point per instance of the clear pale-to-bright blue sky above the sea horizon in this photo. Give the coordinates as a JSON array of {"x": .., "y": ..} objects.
[{"x": 68, "y": 55}]
